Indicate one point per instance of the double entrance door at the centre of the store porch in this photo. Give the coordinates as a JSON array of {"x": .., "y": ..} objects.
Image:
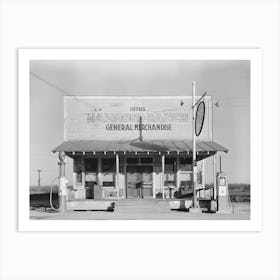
[{"x": 139, "y": 180}]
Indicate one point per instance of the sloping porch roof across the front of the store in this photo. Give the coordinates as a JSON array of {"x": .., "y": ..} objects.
[{"x": 138, "y": 146}]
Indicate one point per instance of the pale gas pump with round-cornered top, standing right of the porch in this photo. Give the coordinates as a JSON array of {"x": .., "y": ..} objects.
[{"x": 224, "y": 203}]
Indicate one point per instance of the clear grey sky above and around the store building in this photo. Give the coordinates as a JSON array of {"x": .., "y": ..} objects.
[{"x": 227, "y": 82}]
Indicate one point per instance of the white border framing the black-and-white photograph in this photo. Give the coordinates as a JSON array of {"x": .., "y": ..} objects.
[{"x": 254, "y": 55}]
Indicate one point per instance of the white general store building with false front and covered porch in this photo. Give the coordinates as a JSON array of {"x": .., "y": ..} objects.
[{"x": 116, "y": 142}]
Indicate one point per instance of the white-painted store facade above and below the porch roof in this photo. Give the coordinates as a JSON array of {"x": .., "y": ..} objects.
[{"x": 117, "y": 119}]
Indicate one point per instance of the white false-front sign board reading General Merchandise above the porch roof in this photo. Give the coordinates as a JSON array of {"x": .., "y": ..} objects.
[{"x": 118, "y": 118}]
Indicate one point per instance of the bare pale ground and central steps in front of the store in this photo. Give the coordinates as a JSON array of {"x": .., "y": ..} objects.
[{"x": 131, "y": 211}]
